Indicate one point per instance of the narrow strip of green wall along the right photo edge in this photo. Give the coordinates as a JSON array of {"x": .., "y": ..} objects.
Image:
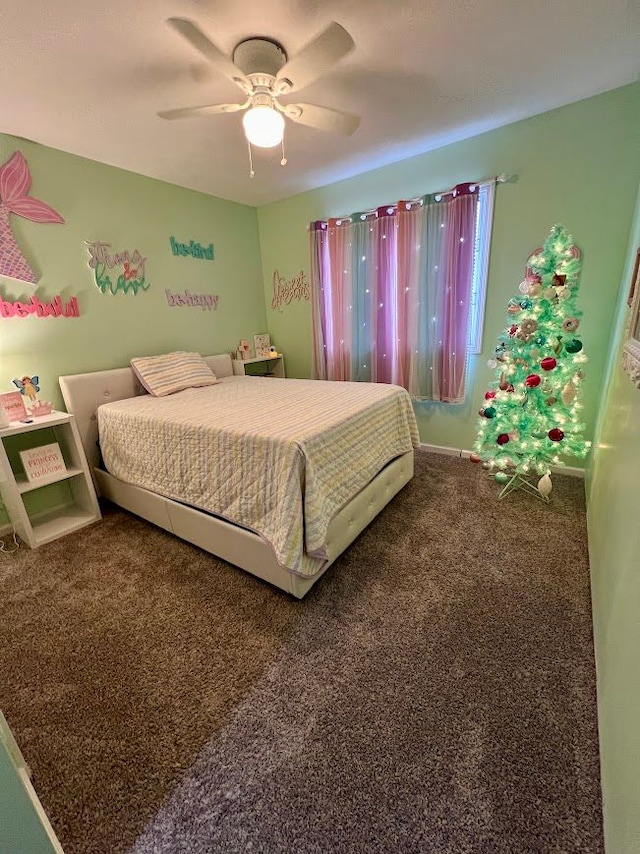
[{"x": 613, "y": 480}]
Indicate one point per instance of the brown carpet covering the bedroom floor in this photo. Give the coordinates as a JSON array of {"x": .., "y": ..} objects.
[{"x": 434, "y": 692}]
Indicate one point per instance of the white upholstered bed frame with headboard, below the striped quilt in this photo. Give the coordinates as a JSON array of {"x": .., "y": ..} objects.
[{"x": 84, "y": 393}]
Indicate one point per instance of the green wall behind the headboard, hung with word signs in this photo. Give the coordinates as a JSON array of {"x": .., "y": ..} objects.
[{"x": 129, "y": 212}]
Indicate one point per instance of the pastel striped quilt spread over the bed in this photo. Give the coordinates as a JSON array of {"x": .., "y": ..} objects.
[{"x": 280, "y": 457}]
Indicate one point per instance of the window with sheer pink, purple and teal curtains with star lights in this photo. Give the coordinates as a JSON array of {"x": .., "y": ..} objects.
[{"x": 398, "y": 292}]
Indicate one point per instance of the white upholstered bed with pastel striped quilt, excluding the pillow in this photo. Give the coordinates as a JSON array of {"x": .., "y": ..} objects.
[{"x": 330, "y": 457}]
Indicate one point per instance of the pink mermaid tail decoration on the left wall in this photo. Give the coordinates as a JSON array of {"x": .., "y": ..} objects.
[{"x": 15, "y": 181}]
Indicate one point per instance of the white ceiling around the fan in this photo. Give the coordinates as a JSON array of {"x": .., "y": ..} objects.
[{"x": 88, "y": 77}]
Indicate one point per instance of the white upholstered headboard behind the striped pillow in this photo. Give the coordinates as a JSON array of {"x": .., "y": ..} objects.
[{"x": 84, "y": 393}]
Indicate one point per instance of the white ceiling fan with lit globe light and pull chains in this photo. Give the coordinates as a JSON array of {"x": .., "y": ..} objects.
[{"x": 261, "y": 68}]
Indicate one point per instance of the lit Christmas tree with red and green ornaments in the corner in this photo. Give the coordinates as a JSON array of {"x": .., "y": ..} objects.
[{"x": 530, "y": 415}]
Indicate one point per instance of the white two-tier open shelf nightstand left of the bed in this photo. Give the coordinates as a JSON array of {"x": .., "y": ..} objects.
[{"x": 74, "y": 507}]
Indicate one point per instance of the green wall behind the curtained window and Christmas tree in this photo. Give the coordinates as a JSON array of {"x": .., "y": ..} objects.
[{"x": 577, "y": 165}]
